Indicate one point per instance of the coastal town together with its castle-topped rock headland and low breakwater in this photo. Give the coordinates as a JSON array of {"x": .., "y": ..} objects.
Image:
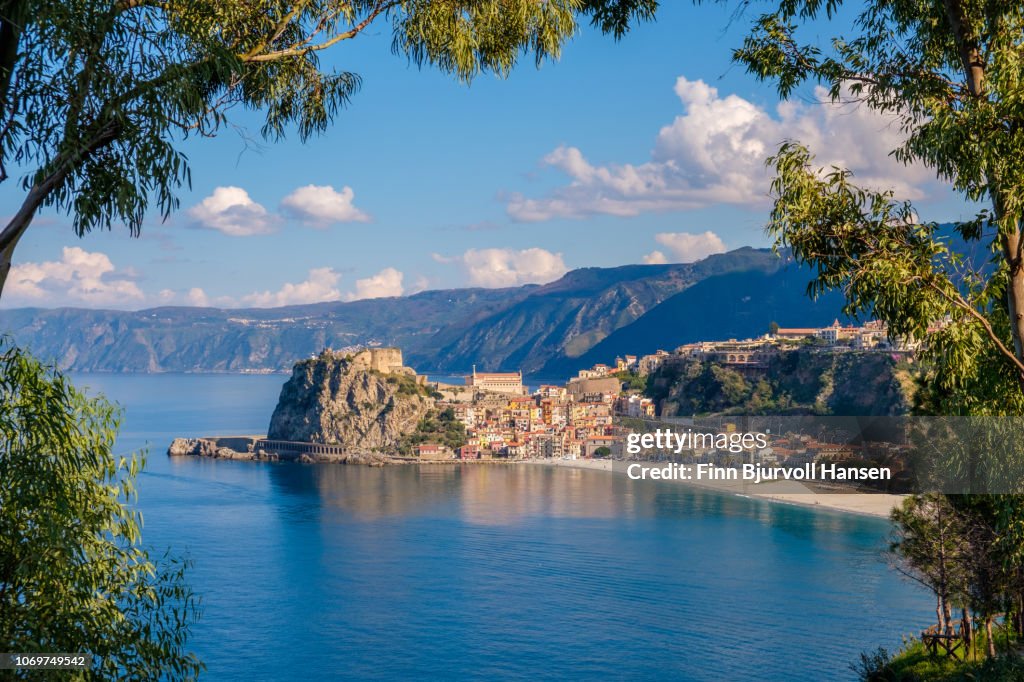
[{"x": 345, "y": 406}]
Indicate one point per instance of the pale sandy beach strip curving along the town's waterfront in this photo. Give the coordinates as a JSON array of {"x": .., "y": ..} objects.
[{"x": 794, "y": 493}]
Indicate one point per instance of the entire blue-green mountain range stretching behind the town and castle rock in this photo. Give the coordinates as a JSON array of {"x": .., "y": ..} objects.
[{"x": 588, "y": 316}]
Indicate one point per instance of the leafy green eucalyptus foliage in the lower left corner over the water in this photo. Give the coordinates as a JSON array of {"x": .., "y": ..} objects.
[{"x": 74, "y": 575}]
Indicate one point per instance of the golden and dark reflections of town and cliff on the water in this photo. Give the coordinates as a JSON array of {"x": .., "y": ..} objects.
[{"x": 507, "y": 494}]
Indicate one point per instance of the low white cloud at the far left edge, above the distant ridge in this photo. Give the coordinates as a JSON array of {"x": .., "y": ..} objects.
[{"x": 80, "y": 277}]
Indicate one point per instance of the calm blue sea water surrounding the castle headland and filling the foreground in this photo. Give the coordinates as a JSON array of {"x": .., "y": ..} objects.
[{"x": 497, "y": 572}]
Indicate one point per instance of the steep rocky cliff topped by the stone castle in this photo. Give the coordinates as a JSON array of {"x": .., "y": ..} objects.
[{"x": 366, "y": 402}]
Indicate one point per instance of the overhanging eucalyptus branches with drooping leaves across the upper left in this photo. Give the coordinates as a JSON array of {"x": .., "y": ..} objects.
[{"x": 98, "y": 96}]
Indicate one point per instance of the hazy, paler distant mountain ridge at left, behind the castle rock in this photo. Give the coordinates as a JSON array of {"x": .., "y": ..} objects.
[{"x": 189, "y": 339}]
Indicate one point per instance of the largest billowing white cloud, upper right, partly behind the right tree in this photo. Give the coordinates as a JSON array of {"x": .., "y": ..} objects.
[{"x": 714, "y": 153}]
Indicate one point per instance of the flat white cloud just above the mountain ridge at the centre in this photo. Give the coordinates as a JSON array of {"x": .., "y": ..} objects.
[{"x": 508, "y": 268}]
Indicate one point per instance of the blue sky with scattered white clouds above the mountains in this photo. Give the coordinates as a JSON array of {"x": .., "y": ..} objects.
[{"x": 649, "y": 150}]
